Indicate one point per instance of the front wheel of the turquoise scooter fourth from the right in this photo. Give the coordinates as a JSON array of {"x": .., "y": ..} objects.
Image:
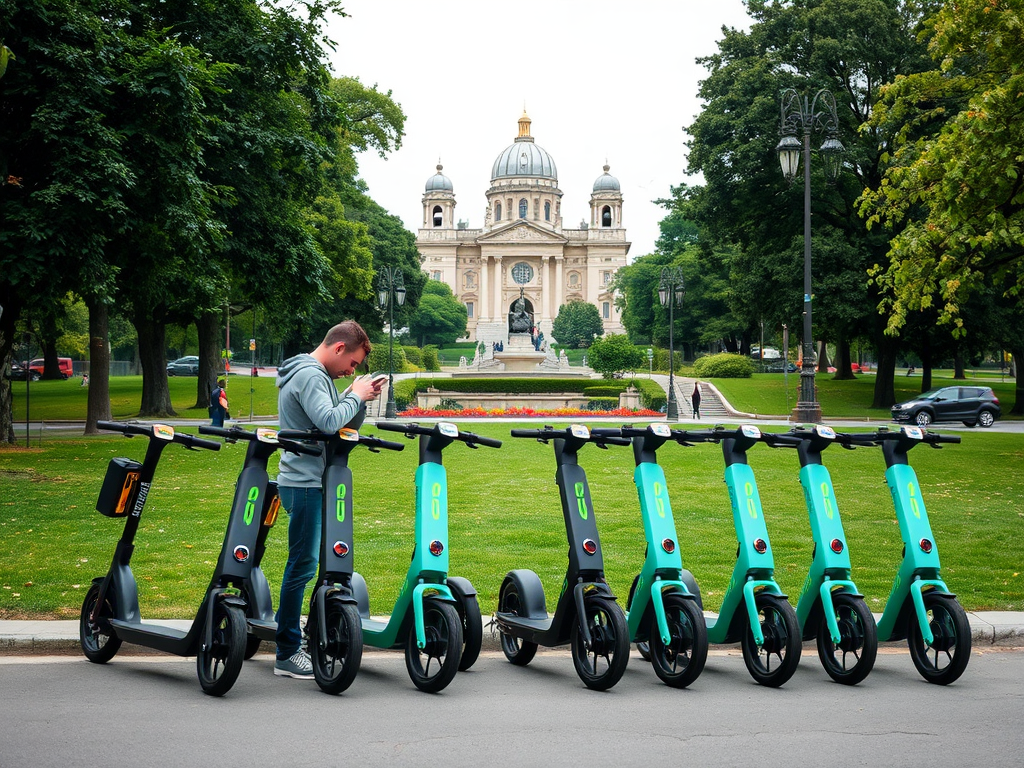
[{"x": 682, "y": 661}]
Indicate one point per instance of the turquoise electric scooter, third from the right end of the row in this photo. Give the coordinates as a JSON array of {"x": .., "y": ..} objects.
[{"x": 755, "y": 612}]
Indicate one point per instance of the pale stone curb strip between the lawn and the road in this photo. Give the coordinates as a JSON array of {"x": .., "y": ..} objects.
[{"x": 989, "y": 629}]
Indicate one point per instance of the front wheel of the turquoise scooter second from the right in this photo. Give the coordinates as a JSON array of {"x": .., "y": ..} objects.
[{"x": 854, "y": 658}]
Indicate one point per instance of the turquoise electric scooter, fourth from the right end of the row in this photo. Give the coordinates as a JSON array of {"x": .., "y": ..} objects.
[{"x": 662, "y": 613}]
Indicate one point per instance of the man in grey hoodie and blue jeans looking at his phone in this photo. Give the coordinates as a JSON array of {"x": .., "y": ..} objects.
[{"x": 309, "y": 400}]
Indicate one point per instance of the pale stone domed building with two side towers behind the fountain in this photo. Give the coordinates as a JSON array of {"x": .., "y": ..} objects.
[{"x": 524, "y": 244}]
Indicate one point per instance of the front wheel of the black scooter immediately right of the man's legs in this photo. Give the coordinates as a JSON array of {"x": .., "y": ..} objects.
[{"x": 336, "y": 665}]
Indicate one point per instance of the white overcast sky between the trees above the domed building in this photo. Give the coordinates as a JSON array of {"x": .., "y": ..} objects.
[{"x": 603, "y": 80}]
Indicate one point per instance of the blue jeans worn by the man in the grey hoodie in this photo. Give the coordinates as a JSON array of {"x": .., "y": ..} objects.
[{"x": 304, "y": 507}]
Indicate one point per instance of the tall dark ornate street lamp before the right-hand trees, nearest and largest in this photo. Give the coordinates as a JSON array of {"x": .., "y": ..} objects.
[{"x": 820, "y": 117}]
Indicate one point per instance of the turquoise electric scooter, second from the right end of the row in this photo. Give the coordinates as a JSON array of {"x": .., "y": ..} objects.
[{"x": 830, "y": 610}]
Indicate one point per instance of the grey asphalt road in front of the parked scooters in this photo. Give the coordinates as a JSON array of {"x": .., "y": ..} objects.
[{"x": 151, "y": 712}]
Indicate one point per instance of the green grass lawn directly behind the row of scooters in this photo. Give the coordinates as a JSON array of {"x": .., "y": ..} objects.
[{"x": 504, "y": 514}]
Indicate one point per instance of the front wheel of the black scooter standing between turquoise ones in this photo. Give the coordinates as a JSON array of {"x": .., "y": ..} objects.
[{"x": 603, "y": 665}]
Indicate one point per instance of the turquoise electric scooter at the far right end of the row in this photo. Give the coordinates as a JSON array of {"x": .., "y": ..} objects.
[{"x": 921, "y": 609}]
